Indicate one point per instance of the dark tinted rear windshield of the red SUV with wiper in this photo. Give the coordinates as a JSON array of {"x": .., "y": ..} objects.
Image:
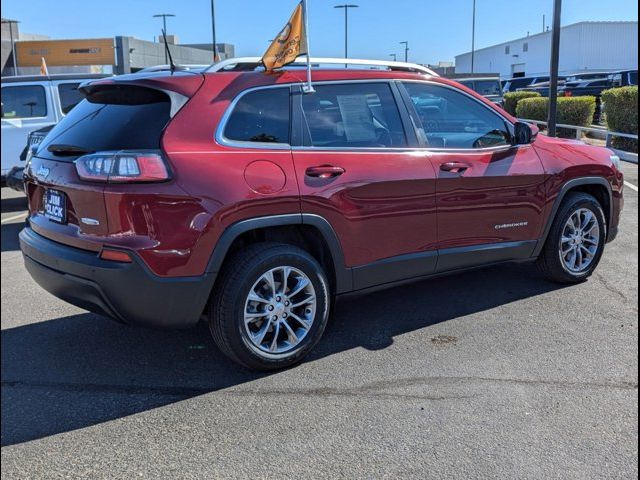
[{"x": 122, "y": 118}]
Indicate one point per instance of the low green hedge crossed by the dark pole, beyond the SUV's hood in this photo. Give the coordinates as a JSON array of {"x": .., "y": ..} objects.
[{"x": 571, "y": 111}]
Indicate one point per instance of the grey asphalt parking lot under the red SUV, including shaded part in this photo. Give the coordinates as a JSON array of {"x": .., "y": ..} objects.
[{"x": 495, "y": 373}]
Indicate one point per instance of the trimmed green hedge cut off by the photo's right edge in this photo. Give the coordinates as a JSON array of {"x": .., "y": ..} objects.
[{"x": 621, "y": 111}]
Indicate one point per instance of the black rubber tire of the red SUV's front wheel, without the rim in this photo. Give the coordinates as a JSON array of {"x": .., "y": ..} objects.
[{"x": 549, "y": 262}]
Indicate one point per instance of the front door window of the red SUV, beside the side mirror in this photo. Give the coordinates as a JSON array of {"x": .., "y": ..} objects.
[{"x": 451, "y": 119}]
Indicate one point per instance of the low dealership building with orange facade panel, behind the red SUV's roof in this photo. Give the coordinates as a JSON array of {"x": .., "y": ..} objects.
[{"x": 97, "y": 55}]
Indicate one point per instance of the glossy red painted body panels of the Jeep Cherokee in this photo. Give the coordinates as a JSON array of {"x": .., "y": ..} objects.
[{"x": 387, "y": 203}]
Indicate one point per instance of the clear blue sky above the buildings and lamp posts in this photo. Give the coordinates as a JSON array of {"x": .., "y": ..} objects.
[{"x": 436, "y": 29}]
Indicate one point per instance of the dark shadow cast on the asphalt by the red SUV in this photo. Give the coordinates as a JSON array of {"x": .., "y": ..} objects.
[{"x": 82, "y": 370}]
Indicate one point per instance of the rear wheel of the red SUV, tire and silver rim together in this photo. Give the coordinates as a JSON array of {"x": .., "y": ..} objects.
[{"x": 270, "y": 306}]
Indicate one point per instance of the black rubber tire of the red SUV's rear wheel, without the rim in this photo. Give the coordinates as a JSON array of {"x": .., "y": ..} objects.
[{"x": 227, "y": 305}]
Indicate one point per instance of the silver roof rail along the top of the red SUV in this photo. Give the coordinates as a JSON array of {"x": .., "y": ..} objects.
[{"x": 251, "y": 63}]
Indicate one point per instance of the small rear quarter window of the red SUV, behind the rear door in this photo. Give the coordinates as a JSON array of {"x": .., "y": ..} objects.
[{"x": 260, "y": 116}]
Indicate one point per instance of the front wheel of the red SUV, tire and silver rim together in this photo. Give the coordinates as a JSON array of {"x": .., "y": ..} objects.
[{"x": 576, "y": 240}]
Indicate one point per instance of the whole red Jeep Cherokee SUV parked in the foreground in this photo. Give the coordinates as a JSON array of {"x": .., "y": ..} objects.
[{"x": 236, "y": 197}]
